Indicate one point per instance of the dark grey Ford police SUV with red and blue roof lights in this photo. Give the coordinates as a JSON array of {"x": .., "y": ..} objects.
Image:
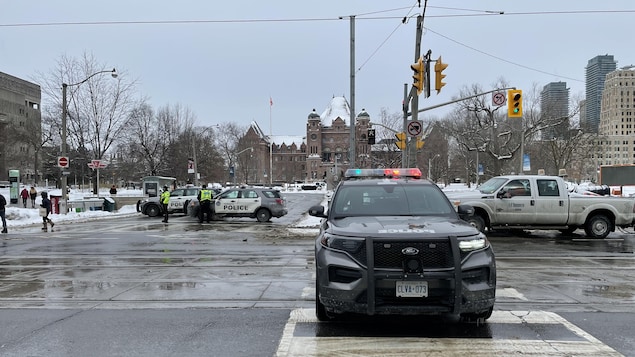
[{"x": 392, "y": 243}]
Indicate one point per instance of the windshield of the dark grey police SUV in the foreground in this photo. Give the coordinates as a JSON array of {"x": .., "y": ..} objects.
[{"x": 390, "y": 198}]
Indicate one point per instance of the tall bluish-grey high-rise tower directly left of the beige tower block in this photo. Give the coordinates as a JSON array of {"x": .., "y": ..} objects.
[{"x": 596, "y": 70}]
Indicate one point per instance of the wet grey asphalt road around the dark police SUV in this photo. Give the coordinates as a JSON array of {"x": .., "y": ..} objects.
[{"x": 136, "y": 286}]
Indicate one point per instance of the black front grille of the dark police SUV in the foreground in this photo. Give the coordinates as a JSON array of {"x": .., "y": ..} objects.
[{"x": 433, "y": 254}]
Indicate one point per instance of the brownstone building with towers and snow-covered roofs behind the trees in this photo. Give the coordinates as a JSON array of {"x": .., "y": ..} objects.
[{"x": 320, "y": 155}]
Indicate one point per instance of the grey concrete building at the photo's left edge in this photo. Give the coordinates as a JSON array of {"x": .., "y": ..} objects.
[{"x": 20, "y": 126}]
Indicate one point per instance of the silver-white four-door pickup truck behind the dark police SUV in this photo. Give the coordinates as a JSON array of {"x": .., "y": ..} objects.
[{"x": 543, "y": 202}]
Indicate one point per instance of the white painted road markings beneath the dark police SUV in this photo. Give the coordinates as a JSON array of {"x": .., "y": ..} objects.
[{"x": 291, "y": 345}]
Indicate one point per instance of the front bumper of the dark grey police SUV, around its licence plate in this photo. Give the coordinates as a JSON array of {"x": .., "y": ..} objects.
[{"x": 348, "y": 285}]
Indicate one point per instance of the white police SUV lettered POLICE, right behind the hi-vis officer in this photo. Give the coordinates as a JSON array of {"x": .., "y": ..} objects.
[{"x": 251, "y": 202}]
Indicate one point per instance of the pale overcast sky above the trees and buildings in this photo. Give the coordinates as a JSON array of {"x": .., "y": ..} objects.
[{"x": 225, "y": 59}]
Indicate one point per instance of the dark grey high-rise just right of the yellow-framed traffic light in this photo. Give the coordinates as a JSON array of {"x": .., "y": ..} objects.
[{"x": 554, "y": 107}]
